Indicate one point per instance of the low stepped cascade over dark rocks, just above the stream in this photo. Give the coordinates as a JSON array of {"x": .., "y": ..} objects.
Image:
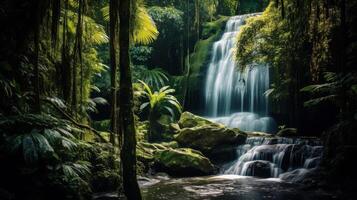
[{"x": 272, "y": 157}]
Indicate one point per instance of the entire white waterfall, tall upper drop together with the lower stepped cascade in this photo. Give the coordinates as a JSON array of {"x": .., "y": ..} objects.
[{"x": 236, "y": 98}]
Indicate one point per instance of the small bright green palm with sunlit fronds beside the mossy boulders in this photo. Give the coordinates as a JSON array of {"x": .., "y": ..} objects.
[{"x": 159, "y": 102}]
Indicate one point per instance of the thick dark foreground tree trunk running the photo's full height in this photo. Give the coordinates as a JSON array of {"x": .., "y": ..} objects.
[{"x": 128, "y": 155}]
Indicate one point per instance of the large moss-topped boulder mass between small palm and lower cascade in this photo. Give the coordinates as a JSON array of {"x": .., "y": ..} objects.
[{"x": 212, "y": 139}]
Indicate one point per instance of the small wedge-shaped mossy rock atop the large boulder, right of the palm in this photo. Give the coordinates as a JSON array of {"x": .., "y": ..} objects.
[{"x": 189, "y": 120}]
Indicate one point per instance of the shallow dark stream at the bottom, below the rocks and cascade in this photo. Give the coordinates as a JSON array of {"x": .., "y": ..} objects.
[{"x": 229, "y": 187}]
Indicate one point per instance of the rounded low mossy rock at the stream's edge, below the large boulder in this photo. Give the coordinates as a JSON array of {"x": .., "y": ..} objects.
[{"x": 183, "y": 162}]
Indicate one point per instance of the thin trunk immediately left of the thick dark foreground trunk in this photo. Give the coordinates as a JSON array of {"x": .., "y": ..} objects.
[{"x": 113, "y": 63}]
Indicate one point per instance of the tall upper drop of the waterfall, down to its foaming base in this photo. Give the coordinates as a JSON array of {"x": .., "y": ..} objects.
[{"x": 235, "y": 95}]
